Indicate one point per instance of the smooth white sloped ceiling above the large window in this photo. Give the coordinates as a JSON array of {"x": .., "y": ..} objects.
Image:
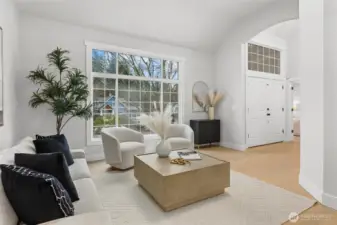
[{"x": 196, "y": 24}]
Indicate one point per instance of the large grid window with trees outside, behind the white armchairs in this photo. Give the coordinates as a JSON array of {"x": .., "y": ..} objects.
[{"x": 126, "y": 85}]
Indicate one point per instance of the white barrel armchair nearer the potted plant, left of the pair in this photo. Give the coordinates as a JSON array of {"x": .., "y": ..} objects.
[{"x": 120, "y": 145}]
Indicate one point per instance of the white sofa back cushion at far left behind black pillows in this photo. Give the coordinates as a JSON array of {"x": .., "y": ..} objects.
[{"x": 24, "y": 146}]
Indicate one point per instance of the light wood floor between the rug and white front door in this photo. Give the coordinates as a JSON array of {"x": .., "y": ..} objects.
[{"x": 277, "y": 164}]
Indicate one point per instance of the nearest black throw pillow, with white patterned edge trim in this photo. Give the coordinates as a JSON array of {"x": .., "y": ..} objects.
[{"x": 35, "y": 197}]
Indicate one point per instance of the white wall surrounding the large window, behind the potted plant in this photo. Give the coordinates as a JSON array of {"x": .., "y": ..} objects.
[{"x": 40, "y": 36}]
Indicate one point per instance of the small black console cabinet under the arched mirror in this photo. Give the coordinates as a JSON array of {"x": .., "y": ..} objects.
[{"x": 205, "y": 131}]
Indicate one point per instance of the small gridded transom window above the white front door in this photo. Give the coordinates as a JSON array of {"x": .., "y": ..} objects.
[{"x": 263, "y": 59}]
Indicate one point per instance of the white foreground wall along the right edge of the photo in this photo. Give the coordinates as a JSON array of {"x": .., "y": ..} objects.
[{"x": 318, "y": 97}]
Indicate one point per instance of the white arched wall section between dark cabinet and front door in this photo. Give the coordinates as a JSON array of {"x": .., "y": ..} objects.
[{"x": 230, "y": 78}]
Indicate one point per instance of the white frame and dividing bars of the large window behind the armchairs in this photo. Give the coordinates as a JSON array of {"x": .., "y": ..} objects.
[{"x": 91, "y": 140}]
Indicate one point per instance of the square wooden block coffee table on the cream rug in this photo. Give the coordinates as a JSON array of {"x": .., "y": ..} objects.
[{"x": 173, "y": 186}]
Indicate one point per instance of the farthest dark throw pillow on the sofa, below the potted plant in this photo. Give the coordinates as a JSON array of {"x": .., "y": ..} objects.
[{"x": 54, "y": 144}]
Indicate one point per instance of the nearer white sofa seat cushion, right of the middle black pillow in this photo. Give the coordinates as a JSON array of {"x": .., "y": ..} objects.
[{"x": 89, "y": 199}]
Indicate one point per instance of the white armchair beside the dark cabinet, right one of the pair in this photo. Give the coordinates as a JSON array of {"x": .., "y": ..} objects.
[{"x": 180, "y": 136}]
